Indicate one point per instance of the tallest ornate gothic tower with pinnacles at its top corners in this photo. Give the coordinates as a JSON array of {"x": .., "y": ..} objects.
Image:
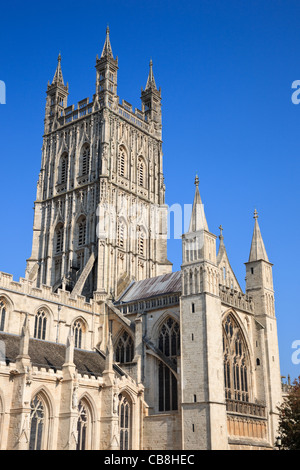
[{"x": 100, "y": 216}]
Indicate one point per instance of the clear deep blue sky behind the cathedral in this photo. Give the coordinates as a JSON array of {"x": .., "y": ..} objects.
[{"x": 225, "y": 69}]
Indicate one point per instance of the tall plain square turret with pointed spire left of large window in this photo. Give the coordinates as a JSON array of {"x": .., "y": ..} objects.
[{"x": 203, "y": 402}]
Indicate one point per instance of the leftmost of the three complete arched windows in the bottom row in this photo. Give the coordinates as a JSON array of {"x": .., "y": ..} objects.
[{"x": 38, "y": 424}]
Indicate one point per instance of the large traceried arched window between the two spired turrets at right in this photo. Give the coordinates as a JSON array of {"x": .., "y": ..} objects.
[{"x": 236, "y": 361}]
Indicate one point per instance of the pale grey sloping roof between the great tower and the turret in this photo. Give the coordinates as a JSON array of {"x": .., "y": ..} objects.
[{"x": 152, "y": 287}]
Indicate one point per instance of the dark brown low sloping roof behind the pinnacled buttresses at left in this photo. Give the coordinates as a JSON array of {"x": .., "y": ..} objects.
[{"x": 52, "y": 355}]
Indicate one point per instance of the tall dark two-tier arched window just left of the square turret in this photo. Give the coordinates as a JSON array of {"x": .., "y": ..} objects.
[{"x": 169, "y": 345}]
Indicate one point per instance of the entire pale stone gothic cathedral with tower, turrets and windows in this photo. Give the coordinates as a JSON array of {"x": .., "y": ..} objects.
[{"x": 102, "y": 345}]
